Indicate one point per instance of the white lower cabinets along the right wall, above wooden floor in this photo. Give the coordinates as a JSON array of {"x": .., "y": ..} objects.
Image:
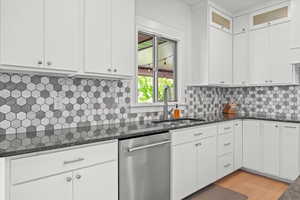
[{"x": 272, "y": 148}]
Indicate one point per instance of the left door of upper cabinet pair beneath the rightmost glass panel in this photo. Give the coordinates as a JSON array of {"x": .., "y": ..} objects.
[{"x": 259, "y": 56}]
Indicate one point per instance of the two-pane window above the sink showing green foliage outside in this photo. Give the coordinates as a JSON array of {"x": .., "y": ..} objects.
[{"x": 157, "y": 67}]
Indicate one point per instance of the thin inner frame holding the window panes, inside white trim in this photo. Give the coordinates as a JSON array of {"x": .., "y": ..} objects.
[{"x": 155, "y": 62}]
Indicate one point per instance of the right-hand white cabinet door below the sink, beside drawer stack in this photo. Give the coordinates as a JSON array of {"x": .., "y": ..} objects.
[{"x": 206, "y": 161}]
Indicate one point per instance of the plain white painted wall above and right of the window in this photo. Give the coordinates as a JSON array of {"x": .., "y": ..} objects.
[{"x": 173, "y": 14}]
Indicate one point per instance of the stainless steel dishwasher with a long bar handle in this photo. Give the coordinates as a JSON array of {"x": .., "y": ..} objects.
[{"x": 144, "y": 168}]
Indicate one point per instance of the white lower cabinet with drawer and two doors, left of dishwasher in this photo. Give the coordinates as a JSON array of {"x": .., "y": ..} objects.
[{"x": 87, "y": 177}]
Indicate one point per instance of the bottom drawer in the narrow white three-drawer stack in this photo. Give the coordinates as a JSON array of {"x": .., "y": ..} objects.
[{"x": 225, "y": 165}]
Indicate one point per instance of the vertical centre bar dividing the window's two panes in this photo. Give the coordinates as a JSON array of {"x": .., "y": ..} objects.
[{"x": 155, "y": 70}]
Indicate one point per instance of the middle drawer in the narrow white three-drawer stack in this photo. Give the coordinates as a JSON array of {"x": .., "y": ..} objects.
[{"x": 225, "y": 144}]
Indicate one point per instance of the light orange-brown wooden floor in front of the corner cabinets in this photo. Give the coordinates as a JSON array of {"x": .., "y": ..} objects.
[{"x": 254, "y": 186}]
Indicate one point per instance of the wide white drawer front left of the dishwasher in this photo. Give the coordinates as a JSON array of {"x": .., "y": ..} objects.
[{"x": 29, "y": 168}]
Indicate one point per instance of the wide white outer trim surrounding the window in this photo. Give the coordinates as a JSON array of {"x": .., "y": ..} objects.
[{"x": 156, "y": 28}]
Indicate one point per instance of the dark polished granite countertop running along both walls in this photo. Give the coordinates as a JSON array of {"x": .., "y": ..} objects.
[{"x": 22, "y": 143}]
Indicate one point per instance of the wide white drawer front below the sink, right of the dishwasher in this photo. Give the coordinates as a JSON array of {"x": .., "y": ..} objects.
[{"x": 192, "y": 134}]
